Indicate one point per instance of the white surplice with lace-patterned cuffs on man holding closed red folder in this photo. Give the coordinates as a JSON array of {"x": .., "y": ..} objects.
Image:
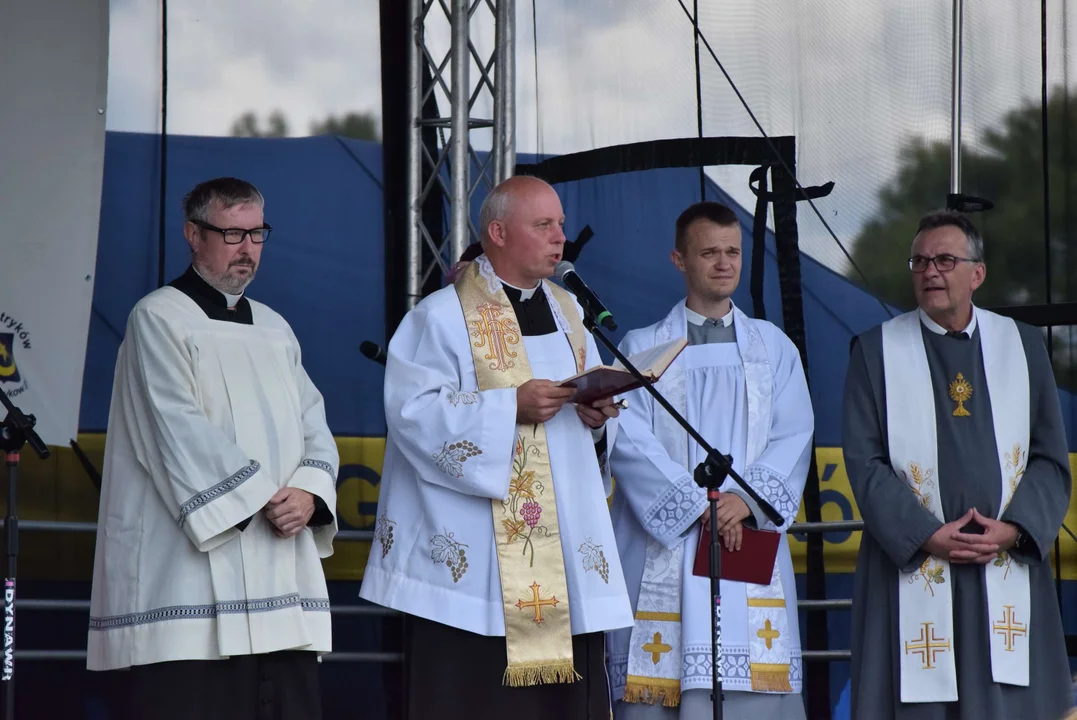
[{"x": 658, "y": 498}]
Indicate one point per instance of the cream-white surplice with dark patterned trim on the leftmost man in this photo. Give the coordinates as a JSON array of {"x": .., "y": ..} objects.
[{"x": 208, "y": 421}]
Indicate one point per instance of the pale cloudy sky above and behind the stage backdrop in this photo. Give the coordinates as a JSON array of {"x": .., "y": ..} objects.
[{"x": 854, "y": 81}]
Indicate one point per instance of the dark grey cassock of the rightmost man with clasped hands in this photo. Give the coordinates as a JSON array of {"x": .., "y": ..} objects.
[{"x": 897, "y": 527}]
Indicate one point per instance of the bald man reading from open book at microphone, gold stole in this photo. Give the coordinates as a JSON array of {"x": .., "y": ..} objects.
[{"x": 494, "y": 535}]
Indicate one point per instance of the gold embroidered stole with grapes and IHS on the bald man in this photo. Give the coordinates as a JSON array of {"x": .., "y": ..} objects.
[{"x": 534, "y": 586}]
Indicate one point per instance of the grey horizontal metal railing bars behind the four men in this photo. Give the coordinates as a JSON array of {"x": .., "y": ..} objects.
[{"x": 376, "y": 611}]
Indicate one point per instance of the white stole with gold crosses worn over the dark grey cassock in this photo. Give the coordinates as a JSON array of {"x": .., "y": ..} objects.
[{"x": 927, "y": 644}]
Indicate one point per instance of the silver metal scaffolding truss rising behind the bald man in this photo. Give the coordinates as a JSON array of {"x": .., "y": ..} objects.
[{"x": 468, "y": 81}]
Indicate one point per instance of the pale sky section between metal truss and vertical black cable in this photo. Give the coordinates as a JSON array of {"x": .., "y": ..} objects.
[{"x": 626, "y": 76}]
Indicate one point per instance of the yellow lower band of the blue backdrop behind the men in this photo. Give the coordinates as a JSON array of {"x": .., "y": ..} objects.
[{"x": 59, "y": 489}]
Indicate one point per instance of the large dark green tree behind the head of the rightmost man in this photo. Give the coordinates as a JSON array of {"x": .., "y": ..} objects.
[{"x": 1009, "y": 172}]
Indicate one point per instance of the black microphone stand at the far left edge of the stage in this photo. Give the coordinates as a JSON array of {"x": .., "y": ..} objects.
[{"x": 17, "y": 431}]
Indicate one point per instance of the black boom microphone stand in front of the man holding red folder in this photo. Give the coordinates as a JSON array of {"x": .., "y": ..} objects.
[{"x": 710, "y": 475}]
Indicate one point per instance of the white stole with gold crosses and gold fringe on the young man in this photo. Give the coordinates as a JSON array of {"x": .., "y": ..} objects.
[{"x": 656, "y": 648}]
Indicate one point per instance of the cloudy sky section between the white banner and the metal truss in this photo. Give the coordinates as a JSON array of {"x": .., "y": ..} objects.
[{"x": 306, "y": 60}]
